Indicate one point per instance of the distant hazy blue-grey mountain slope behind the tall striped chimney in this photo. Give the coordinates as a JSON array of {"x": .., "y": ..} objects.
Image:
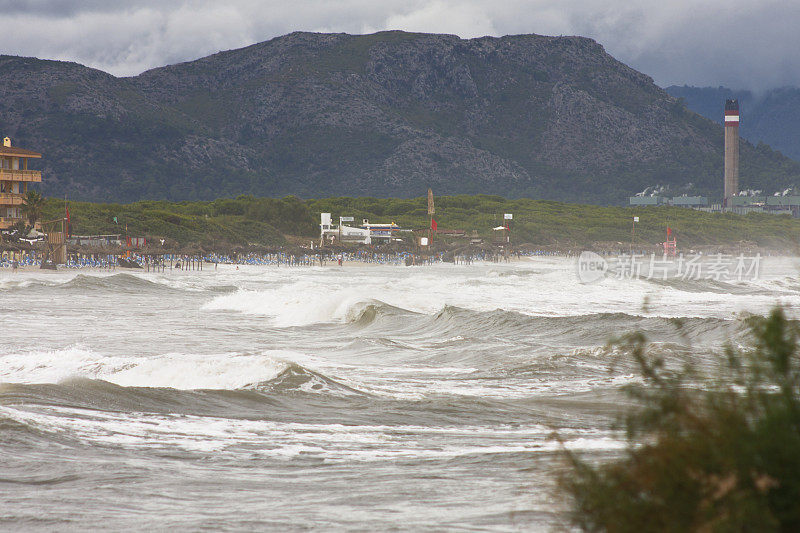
[{"x": 772, "y": 118}]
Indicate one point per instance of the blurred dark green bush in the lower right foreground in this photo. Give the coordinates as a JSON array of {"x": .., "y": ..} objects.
[{"x": 719, "y": 455}]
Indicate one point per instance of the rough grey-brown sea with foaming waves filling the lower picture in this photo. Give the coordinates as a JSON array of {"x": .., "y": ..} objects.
[{"x": 369, "y": 398}]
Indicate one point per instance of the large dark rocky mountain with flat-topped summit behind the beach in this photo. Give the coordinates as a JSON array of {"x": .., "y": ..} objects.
[{"x": 387, "y": 114}]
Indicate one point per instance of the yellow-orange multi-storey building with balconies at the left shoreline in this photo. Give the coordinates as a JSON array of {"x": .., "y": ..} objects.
[{"x": 14, "y": 179}]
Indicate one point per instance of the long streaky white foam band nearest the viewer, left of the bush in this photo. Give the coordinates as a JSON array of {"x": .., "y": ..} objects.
[{"x": 286, "y": 440}]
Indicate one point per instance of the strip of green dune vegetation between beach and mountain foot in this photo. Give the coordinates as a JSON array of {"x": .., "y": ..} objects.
[{"x": 268, "y": 221}]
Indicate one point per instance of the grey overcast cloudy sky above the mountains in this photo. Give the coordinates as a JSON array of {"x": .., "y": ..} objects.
[{"x": 751, "y": 44}]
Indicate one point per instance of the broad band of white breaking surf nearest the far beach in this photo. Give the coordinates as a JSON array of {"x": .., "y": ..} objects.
[{"x": 551, "y": 289}]
